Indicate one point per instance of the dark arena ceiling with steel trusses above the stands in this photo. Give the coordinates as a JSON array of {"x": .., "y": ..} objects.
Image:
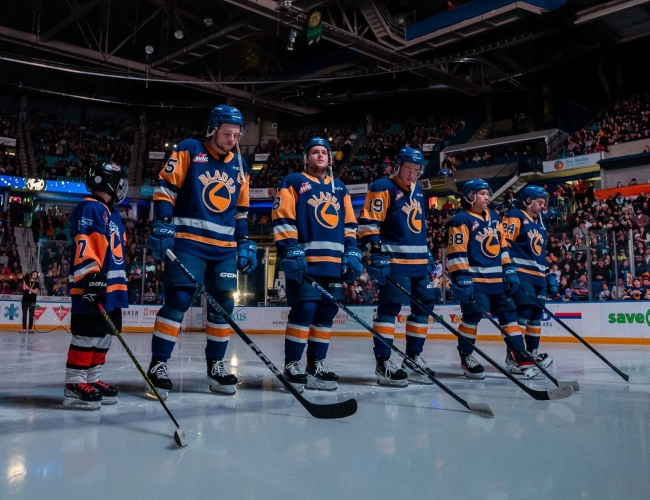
[{"x": 238, "y": 48}]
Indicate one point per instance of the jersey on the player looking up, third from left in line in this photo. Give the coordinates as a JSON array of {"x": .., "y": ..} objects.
[{"x": 307, "y": 213}]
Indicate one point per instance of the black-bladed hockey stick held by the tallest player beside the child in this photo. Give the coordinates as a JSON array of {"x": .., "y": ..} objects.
[{"x": 333, "y": 410}]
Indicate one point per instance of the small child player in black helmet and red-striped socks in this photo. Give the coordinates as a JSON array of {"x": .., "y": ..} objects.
[{"x": 97, "y": 276}]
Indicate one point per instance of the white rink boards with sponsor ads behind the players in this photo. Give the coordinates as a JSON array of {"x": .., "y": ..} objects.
[{"x": 605, "y": 322}]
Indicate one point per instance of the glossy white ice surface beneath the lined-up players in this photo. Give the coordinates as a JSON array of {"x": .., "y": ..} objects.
[{"x": 411, "y": 443}]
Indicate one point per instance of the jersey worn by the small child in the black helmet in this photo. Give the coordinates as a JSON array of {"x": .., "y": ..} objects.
[{"x": 98, "y": 240}]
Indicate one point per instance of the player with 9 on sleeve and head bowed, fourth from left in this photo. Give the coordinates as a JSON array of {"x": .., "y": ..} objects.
[{"x": 393, "y": 227}]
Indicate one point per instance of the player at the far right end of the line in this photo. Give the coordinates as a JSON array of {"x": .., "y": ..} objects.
[{"x": 525, "y": 236}]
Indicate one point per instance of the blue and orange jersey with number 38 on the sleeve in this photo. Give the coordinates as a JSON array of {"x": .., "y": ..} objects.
[{"x": 475, "y": 249}]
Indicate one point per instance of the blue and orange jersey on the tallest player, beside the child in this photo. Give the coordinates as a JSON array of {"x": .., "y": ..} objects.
[{"x": 206, "y": 199}]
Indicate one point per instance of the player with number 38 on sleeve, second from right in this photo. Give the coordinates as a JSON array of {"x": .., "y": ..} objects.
[{"x": 481, "y": 270}]
